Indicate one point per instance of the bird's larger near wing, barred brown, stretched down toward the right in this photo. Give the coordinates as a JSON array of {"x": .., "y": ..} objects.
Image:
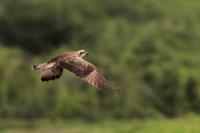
[{"x": 87, "y": 72}]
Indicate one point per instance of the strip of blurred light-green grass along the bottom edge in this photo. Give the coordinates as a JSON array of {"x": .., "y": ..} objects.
[{"x": 178, "y": 125}]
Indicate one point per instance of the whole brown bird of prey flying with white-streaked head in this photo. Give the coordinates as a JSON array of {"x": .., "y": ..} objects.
[{"x": 74, "y": 62}]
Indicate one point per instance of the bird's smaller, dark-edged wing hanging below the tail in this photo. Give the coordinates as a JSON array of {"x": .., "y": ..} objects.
[{"x": 51, "y": 73}]
